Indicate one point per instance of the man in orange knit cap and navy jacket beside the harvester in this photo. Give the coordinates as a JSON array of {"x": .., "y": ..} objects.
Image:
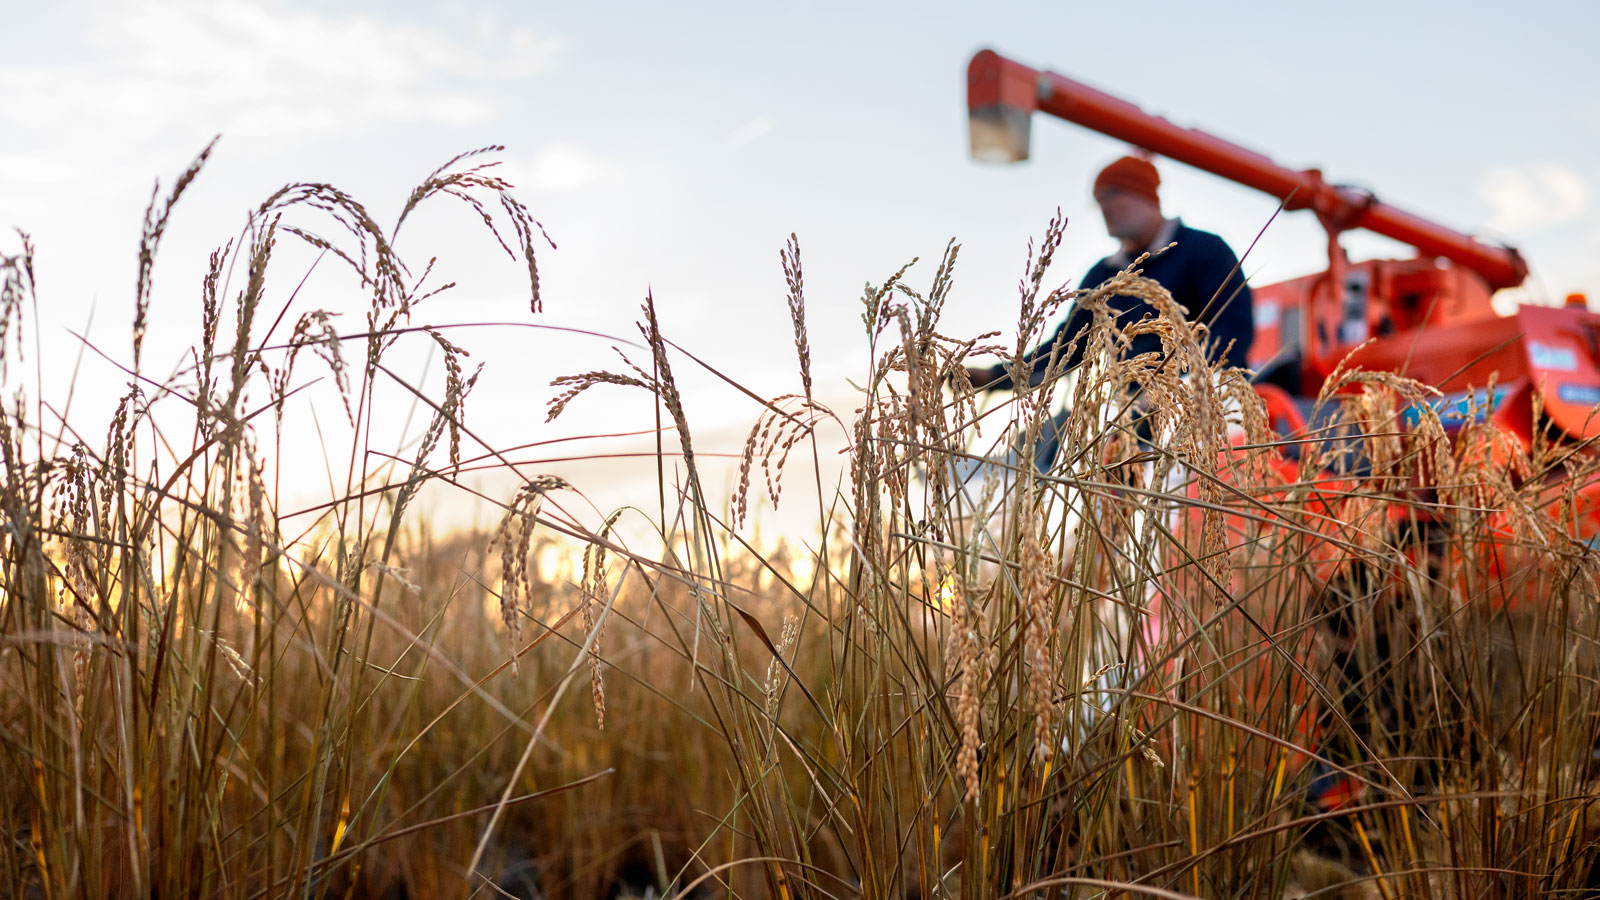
[{"x": 1201, "y": 271}]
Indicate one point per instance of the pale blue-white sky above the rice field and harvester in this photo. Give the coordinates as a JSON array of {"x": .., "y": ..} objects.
[{"x": 674, "y": 150}]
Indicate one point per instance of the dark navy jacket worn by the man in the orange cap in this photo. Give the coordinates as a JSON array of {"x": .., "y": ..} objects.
[{"x": 1201, "y": 273}]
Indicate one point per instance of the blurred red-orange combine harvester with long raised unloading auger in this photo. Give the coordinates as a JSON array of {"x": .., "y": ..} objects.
[{"x": 1535, "y": 374}]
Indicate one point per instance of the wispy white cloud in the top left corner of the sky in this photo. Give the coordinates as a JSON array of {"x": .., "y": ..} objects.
[{"x": 260, "y": 71}]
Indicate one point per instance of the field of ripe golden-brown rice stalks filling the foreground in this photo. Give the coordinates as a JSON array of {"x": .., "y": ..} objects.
[{"x": 1210, "y": 662}]
